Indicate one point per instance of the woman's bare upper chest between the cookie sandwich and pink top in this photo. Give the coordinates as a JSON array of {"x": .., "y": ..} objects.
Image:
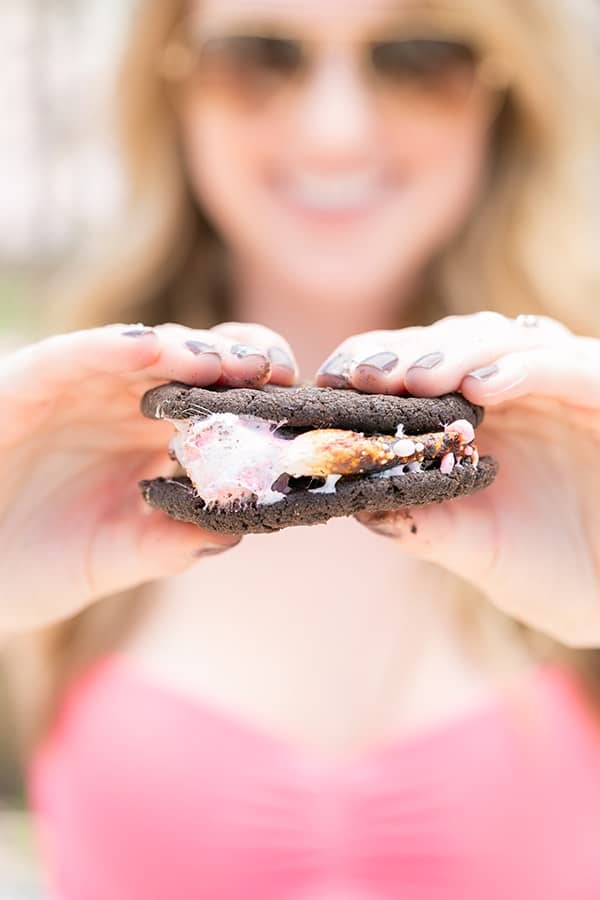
[{"x": 325, "y": 635}]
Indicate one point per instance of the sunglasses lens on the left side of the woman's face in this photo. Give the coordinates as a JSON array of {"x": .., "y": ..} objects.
[{"x": 251, "y": 62}]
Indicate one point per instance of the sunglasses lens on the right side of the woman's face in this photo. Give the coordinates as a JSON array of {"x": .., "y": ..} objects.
[{"x": 430, "y": 63}]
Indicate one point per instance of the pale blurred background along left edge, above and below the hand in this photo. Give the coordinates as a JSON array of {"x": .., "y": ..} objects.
[{"x": 60, "y": 189}]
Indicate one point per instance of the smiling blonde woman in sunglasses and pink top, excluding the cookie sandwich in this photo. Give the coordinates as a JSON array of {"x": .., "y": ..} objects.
[{"x": 279, "y": 720}]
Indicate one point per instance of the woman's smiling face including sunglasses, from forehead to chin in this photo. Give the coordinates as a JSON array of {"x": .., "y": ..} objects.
[{"x": 343, "y": 181}]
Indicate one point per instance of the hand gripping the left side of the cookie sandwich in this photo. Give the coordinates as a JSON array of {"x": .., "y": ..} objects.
[{"x": 73, "y": 446}]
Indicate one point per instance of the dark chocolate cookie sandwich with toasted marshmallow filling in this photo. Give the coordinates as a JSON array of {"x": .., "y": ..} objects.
[{"x": 262, "y": 460}]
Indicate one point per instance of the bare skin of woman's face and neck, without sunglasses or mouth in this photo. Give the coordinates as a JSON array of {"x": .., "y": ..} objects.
[{"x": 241, "y": 163}]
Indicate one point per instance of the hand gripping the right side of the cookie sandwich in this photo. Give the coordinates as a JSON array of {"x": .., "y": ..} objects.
[{"x": 530, "y": 542}]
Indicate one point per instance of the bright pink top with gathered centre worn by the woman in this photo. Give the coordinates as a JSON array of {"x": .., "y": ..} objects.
[{"x": 144, "y": 794}]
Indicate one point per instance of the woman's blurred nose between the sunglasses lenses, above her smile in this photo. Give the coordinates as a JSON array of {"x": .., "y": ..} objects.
[{"x": 336, "y": 117}]
